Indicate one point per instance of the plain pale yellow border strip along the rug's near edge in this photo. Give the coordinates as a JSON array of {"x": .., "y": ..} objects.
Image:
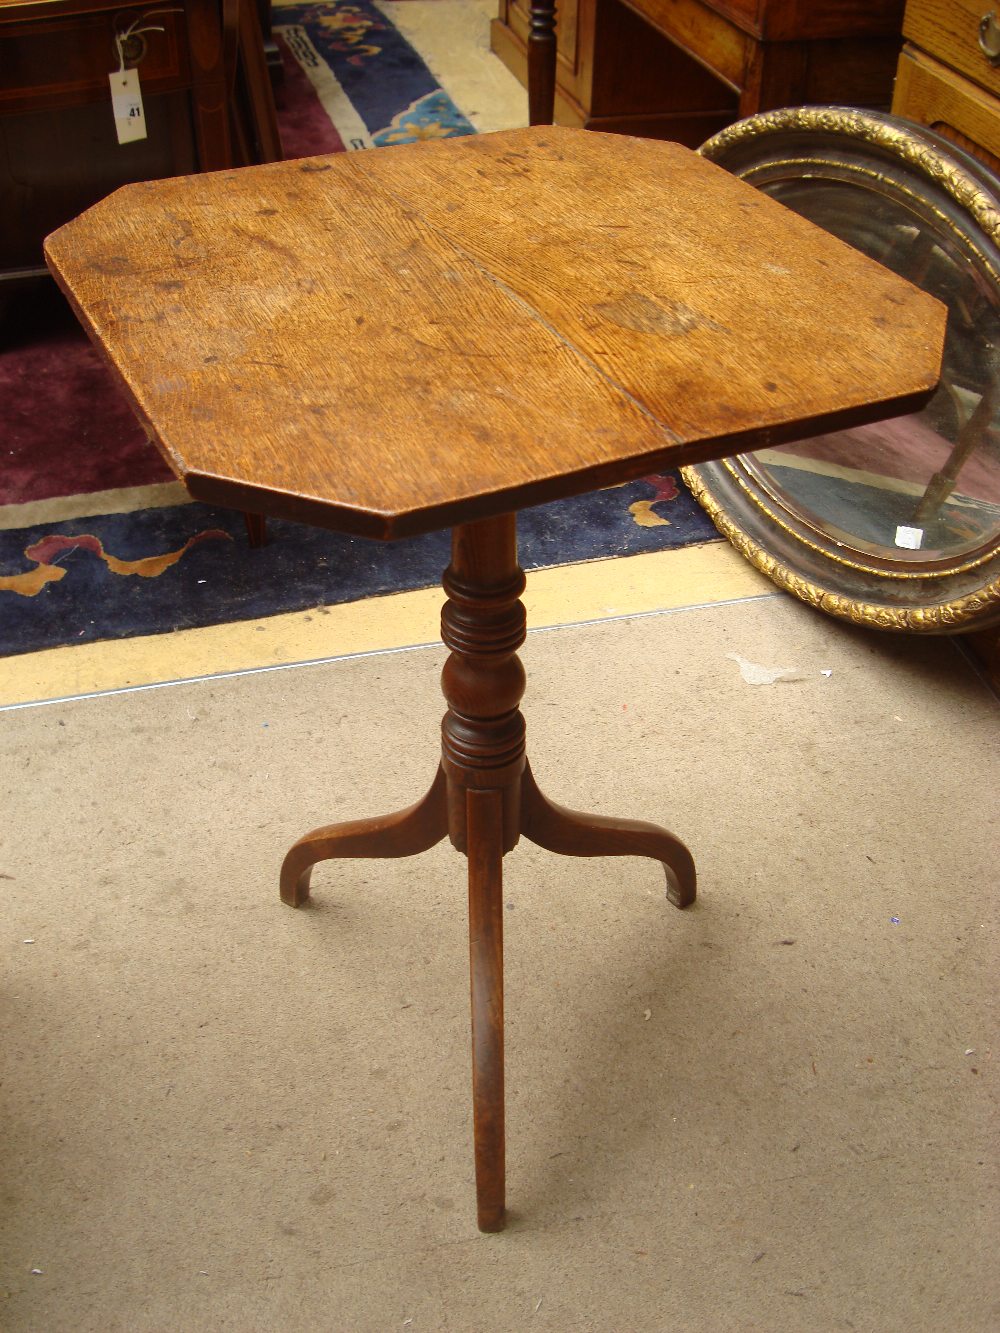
[{"x": 601, "y": 590}]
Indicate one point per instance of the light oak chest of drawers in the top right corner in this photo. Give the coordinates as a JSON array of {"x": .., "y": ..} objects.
[{"x": 946, "y": 81}]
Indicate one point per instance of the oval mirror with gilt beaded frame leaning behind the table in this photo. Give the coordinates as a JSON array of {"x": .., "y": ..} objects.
[{"x": 895, "y": 525}]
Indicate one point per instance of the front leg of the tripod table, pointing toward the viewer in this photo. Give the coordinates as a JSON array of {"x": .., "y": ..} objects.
[{"x": 486, "y": 854}]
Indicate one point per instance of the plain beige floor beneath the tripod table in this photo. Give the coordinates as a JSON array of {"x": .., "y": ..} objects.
[{"x": 775, "y": 1111}]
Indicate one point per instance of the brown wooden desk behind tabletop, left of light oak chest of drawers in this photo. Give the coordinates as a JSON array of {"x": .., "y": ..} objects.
[{"x": 686, "y": 69}]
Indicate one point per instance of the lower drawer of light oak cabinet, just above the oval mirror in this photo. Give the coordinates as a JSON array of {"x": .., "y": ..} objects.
[{"x": 935, "y": 97}]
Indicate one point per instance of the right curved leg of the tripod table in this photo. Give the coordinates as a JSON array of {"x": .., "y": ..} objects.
[{"x": 571, "y": 834}]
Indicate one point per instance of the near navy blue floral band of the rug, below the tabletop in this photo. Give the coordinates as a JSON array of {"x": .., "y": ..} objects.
[{"x": 178, "y": 569}]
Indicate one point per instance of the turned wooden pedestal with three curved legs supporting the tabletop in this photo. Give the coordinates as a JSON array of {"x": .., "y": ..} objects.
[{"x": 485, "y": 799}]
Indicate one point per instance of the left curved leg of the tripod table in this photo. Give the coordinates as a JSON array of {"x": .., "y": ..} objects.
[{"x": 405, "y": 834}]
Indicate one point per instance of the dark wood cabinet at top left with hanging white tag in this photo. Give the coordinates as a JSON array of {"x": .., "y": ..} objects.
[{"x": 206, "y": 94}]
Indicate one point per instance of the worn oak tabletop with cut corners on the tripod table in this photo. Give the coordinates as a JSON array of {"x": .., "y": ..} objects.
[{"x": 399, "y": 341}]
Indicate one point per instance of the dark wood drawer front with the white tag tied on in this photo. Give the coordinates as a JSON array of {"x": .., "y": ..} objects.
[{"x": 66, "y": 61}]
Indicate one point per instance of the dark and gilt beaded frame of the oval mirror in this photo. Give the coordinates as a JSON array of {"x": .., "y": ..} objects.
[{"x": 947, "y": 598}]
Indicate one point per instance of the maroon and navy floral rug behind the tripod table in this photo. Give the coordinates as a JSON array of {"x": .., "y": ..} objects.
[{"x": 97, "y": 539}]
